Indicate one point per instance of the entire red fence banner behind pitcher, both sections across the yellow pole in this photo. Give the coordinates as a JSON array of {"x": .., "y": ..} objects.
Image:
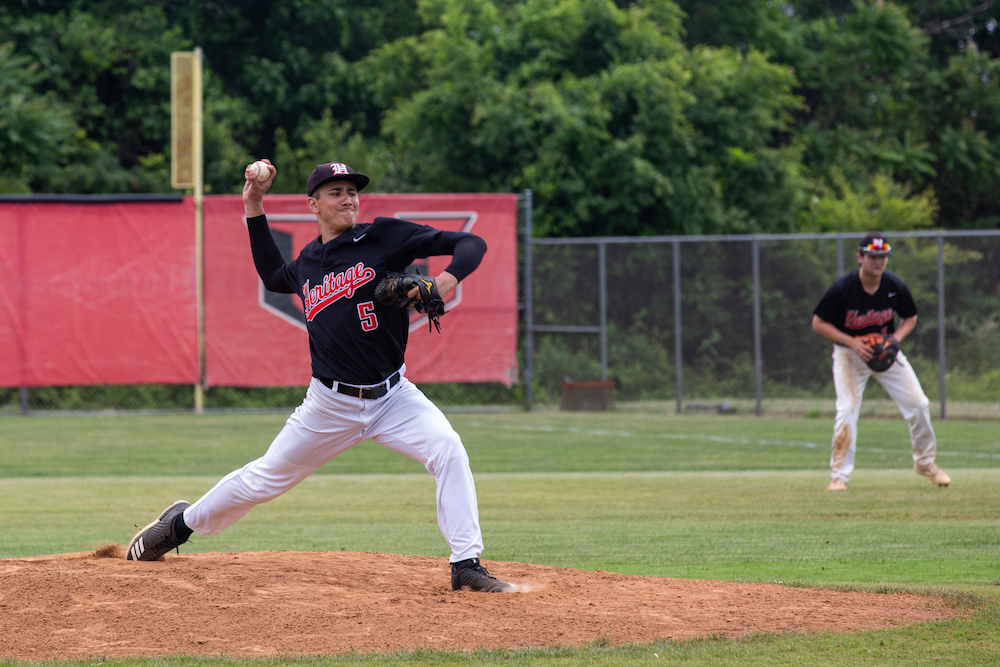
[{"x": 104, "y": 293}]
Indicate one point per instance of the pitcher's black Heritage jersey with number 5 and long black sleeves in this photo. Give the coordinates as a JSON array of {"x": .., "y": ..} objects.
[{"x": 352, "y": 337}]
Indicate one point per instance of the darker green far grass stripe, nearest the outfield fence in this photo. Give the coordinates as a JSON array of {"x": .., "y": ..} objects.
[{"x": 546, "y": 442}]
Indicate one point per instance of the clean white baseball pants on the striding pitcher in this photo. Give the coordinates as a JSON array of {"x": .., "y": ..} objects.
[{"x": 329, "y": 423}]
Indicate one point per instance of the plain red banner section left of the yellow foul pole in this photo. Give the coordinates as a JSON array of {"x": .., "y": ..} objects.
[{"x": 97, "y": 293}]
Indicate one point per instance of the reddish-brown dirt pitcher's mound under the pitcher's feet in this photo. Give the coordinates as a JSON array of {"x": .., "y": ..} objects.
[{"x": 283, "y": 603}]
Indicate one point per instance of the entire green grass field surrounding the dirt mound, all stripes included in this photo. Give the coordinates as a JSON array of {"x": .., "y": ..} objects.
[{"x": 707, "y": 497}]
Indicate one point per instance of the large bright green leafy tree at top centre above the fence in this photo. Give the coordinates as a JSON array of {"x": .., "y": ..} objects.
[{"x": 598, "y": 109}]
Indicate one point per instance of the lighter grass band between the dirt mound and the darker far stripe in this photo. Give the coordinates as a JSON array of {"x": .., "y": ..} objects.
[{"x": 890, "y": 527}]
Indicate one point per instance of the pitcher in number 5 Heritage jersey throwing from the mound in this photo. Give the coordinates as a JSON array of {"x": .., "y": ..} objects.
[{"x": 359, "y": 390}]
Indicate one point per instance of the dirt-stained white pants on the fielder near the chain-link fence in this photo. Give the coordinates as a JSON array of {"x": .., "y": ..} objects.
[{"x": 850, "y": 375}]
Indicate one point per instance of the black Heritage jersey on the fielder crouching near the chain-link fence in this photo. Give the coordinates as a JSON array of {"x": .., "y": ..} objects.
[{"x": 847, "y": 306}]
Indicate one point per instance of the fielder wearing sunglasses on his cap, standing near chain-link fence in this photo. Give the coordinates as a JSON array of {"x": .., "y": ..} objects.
[{"x": 862, "y": 302}]
